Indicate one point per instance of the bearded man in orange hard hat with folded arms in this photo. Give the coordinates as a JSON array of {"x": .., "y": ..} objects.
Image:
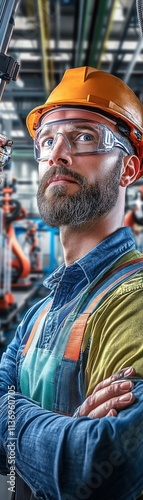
[{"x": 88, "y": 140}]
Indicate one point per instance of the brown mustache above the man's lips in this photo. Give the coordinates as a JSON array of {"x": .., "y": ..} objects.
[{"x": 61, "y": 170}]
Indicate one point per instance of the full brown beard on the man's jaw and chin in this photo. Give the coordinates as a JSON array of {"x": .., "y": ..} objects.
[{"x": 91, "y": 202}]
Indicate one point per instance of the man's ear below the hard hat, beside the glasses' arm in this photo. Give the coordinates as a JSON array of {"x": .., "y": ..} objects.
[{"x": 130, "y": 170}]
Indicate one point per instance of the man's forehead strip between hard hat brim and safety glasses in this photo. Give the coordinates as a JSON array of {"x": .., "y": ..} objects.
[{"x": 71, "y": 113}]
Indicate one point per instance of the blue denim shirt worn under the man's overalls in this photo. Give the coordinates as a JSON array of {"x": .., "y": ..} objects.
[{"x": 61, "y": 457}]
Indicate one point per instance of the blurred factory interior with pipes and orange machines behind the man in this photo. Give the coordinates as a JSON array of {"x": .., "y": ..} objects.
[{"x": 43, "y": 39}]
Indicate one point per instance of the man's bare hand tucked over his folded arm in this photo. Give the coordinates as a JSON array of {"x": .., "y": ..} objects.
[{"x": 109, "y": 396}]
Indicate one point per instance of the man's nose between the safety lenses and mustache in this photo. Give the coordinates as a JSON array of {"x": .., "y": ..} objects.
[{"x": 60, "y": 150}]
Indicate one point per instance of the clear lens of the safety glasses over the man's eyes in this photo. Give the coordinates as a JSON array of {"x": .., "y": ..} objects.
[{"x": 79, "y": 137}]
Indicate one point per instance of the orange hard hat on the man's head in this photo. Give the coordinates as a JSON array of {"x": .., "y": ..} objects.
[{"x": 92, "y": 88}]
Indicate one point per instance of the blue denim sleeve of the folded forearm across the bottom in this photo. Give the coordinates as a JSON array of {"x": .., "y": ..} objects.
[{"x": 62, "y": 458}]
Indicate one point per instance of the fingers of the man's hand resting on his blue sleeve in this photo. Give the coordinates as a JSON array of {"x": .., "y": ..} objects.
[{"x": 114, "y": 396}]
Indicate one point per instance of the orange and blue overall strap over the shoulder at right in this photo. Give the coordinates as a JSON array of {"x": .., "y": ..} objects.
[{"x": 110, "y": 282}]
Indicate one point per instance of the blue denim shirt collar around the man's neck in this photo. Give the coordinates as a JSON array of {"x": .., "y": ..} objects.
[{"x": 99, "y": 259}]
